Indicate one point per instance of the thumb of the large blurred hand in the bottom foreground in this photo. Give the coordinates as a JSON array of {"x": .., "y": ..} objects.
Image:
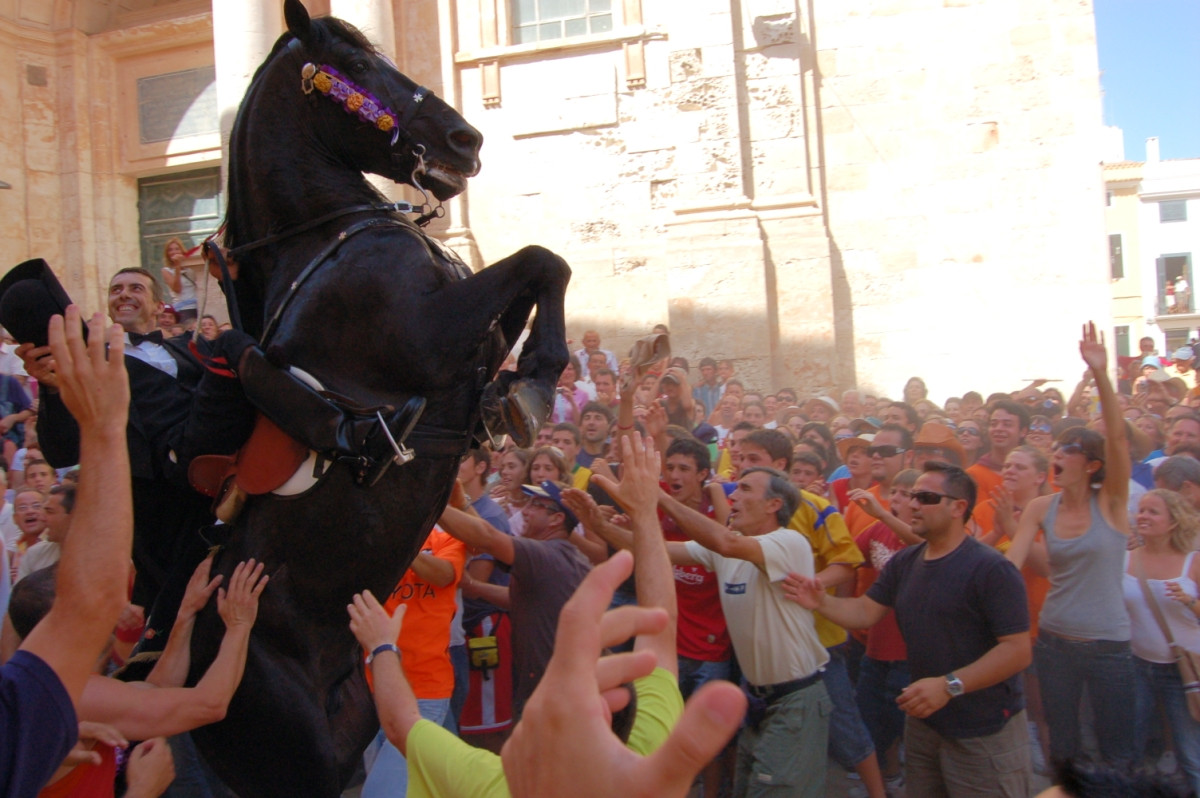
[{"x": 709, "y": 722}]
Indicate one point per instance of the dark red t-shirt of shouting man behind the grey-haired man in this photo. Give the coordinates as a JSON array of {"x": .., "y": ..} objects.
[{"x": 701, "y": 633}]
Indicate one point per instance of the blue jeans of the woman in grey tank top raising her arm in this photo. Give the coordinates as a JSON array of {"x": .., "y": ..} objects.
[{"x": 1106, "y": 667}]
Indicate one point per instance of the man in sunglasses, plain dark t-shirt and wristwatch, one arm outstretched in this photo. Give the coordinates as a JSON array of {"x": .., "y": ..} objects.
[{"x": 964, "y": 619}]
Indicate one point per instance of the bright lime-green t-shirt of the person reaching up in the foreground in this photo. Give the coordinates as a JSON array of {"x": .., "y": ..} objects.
[{"x": 442, "y": 766}]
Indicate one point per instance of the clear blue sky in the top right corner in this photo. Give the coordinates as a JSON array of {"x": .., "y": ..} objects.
[{"x": 1150, "y": 73}]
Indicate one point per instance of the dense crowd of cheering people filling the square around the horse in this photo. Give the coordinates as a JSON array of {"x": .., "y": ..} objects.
[{"x": 940, "y": 599}]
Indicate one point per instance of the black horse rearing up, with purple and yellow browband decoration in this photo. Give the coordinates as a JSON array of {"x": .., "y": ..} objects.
[{"x": 353, "y": 293}]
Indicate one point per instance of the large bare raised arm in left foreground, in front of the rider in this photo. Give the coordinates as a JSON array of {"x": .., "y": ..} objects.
[{"x": 95, "y": 565}]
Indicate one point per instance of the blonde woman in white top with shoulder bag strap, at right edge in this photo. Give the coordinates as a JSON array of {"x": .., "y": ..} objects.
[{"x": 1168, "y": 525}]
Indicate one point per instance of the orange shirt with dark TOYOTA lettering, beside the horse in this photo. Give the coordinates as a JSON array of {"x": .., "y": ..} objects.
[{"x": 425, "y": 638}]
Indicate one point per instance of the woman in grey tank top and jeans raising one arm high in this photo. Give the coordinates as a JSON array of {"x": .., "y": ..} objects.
[{"x": 1084, "y": 627}]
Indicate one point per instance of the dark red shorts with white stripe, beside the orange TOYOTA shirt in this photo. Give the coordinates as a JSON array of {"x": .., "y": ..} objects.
[{"x": 489, "y": 707}]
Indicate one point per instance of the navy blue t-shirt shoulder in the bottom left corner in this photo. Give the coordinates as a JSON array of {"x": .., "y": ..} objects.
[{"x": 40, "y": 725}]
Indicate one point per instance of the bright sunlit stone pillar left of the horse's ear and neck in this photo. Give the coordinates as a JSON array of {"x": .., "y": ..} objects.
[{"x": 243, "y": 35}]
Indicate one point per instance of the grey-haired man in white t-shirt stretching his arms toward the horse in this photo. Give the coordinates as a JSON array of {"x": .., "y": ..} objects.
[{"x": 782, "y": 751}]
